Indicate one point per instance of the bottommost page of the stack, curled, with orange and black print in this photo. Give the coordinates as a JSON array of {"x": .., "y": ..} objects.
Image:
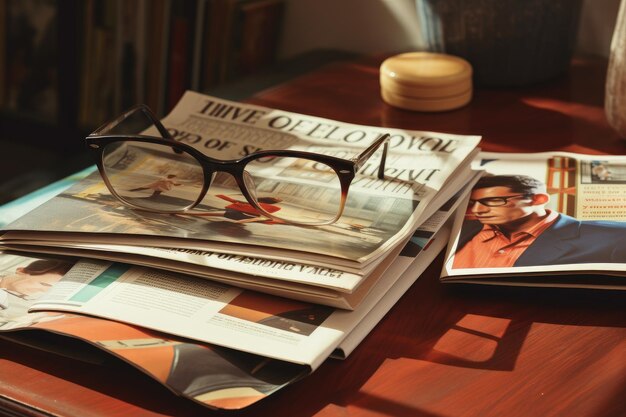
[{"x": 210, "y": 375}]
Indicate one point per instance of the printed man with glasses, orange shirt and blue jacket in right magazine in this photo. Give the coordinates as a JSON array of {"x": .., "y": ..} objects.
[{"x": 507, "y": 225}]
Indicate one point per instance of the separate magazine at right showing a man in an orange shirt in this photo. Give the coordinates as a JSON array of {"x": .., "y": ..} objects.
[{"x": 547, "y": 219}]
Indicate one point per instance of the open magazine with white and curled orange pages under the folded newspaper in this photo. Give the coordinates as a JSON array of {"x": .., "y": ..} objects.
[{"x": 247, "y": 345}]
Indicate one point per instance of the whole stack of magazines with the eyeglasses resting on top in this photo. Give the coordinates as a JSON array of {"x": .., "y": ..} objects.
[{"x": 229, "y": 249}]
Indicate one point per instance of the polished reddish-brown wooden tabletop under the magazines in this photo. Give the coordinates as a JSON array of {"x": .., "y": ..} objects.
[{"x": 442, "y": 351}]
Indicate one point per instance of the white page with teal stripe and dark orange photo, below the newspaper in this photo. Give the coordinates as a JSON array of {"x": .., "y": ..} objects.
[{"x": 190, "y": 307}]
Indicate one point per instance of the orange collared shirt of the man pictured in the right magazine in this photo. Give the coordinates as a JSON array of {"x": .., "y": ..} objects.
[{"x": 490, "y": 248}]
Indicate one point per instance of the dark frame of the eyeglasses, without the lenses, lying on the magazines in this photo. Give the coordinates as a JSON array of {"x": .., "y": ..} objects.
[{"x": 345, "y": 169}]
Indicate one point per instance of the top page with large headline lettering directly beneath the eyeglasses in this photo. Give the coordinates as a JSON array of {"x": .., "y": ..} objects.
[{"x": 378, "y": 214}]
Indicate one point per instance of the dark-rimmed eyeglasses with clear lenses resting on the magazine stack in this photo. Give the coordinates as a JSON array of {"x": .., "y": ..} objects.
[{"x": 162, "y": 175}]
